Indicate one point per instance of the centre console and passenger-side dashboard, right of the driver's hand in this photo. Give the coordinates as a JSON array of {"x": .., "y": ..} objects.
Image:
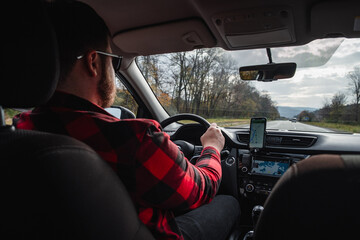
[{"x": 258, "y": 171}]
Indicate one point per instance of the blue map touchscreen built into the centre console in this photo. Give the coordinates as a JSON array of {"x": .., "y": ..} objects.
[{"x": 270, "y": 168}]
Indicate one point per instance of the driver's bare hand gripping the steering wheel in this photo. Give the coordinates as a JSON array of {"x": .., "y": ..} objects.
[{"x": 213, "y": 138}]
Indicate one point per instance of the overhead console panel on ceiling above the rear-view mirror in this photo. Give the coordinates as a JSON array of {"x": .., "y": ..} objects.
[{"x": 256, "y": 28}]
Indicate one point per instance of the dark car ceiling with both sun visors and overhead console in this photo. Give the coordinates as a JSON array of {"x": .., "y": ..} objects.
[{"x": 144, "y": 27}]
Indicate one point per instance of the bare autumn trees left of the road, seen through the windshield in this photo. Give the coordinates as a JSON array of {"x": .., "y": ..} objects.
[{"x": 204, "y": 82}]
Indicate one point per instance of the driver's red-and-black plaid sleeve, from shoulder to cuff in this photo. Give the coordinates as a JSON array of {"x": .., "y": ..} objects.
[{"x": 167, "y": 180}]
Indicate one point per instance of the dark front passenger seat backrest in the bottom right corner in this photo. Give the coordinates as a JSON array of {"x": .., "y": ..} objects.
[{"x": 318, "y": 198}]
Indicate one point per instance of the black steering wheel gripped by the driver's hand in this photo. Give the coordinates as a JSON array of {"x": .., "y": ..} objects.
[{"x": 190, "y": 151}]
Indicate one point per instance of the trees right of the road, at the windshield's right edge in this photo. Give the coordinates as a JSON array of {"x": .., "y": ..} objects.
[{"x": 343, "y": 107}]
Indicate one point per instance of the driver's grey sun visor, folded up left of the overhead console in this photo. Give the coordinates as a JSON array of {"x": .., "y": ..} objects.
[{"x": 177, "y": 36}]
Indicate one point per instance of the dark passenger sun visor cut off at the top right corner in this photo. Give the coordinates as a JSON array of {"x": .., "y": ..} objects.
[{"x": 332, "y": 19}]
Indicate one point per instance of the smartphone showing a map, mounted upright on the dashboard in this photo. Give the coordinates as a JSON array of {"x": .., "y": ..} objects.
[{"x": 257, "y": 134}]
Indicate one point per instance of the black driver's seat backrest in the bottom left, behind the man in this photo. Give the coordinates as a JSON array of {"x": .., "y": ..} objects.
[{"x": 54, "y": 187}]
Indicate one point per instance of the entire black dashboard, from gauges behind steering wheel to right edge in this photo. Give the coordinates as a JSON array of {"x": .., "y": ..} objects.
[{"x": 250, "y": 174}]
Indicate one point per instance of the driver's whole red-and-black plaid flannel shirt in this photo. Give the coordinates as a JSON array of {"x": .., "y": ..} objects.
[{"x": 158, "y": 177}]
